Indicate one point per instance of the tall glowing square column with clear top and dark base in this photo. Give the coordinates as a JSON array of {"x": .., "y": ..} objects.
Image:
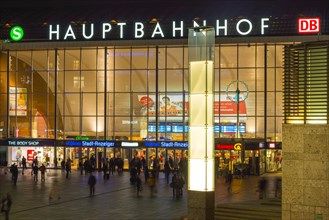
[{"x": 201, "y": 182}]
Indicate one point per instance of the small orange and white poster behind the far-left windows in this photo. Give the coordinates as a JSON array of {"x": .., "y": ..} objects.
[{"x": 17, "y": 101}]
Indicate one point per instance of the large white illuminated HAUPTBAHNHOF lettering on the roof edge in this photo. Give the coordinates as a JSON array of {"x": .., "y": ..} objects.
[{"x": 141, "y": 30}]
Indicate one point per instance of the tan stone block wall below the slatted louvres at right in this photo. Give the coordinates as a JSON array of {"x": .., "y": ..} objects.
[{"x": 305, "y": 176}]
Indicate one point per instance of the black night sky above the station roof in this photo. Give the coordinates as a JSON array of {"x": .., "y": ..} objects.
[{"x": 89, "y": 10}]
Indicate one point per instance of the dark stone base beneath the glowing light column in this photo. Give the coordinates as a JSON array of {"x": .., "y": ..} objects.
[{"x": 201, "y": 205}]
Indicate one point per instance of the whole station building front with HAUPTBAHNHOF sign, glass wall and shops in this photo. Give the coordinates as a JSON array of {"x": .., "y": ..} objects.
[{"x": 120, "y": 88}]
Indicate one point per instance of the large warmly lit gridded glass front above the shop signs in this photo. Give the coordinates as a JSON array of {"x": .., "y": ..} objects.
[{"x": 113, "y": 93}]
